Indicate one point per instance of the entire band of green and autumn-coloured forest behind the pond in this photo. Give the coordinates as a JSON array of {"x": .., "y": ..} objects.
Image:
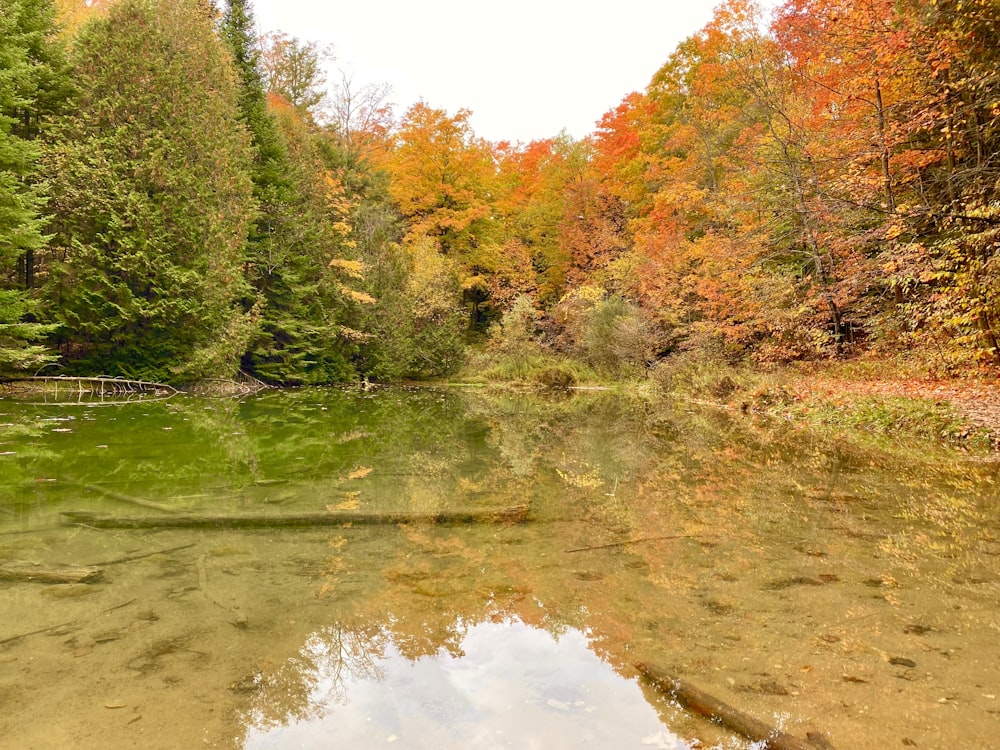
[{"x": 181, "y": 198}]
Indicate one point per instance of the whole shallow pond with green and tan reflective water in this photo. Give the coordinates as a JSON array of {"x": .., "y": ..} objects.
[{"x": 824, "y": 586}]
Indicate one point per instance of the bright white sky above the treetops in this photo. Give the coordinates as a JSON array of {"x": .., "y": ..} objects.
[{"x": 526, "y": 68}]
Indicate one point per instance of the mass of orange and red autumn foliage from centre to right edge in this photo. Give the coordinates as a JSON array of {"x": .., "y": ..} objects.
[{"x": 815, "y": 182}]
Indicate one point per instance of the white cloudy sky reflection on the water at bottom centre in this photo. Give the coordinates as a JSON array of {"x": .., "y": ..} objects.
[{"x": 511, "y": 686}]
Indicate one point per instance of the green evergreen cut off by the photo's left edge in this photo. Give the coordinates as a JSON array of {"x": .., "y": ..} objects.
[{"x": 33, "y": 83}]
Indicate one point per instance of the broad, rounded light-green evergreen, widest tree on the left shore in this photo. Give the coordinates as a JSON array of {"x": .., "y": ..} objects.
[{"x": 153, "y": 199}]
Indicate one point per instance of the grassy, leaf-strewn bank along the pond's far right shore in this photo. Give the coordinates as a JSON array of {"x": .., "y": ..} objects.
[{"x": 868, "y": 401}]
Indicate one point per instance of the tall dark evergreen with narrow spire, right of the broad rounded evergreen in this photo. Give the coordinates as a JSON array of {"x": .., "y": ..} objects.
[{"x": 298, "y": 233}]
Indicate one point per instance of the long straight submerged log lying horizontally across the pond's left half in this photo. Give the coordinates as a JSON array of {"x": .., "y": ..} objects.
[{"x": 290, "y": 520}]
